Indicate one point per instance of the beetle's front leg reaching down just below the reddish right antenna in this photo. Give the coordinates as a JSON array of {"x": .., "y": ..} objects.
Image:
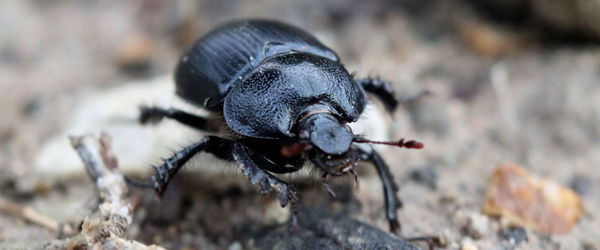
[{"x": 390, "y": 189}]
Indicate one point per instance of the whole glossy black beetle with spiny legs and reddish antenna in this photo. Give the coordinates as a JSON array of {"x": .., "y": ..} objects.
[{"x": 286, "y": 100}]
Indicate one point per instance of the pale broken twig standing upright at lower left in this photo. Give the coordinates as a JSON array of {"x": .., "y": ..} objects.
[{"x": 106, "y": 230}]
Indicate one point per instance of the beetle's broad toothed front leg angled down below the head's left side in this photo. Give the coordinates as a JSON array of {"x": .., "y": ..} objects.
[{"x": 266, "y": 181}]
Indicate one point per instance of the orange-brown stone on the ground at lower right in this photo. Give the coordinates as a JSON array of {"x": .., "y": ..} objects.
[{"x": 522, "y": 200}]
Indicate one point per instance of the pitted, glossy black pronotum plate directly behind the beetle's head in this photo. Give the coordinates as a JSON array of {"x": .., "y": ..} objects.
[{"x": 270, "y": 100}]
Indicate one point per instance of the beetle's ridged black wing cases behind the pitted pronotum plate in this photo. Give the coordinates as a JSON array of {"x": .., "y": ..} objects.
[{"x": 218, "y": 60}]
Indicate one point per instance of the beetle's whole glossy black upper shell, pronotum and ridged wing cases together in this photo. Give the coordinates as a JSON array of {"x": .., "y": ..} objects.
[{"x": 263, "y": 75}]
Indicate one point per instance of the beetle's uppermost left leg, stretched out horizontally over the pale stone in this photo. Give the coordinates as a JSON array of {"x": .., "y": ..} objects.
[{"x": 156, "y": 114}]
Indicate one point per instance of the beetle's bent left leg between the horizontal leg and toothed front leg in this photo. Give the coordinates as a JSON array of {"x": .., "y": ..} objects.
[{"x": 166, "y": 171}]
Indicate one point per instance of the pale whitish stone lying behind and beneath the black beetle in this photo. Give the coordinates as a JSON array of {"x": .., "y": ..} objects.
[{"x": 115, "y": 111}]
